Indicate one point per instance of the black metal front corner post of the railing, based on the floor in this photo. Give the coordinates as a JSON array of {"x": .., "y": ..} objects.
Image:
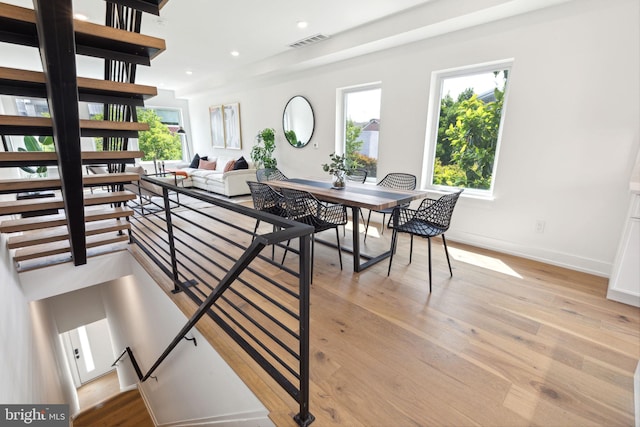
[{"x": 304, "y": 418}]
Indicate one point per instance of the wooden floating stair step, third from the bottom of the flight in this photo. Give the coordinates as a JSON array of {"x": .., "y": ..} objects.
[{"x": 48, "y": 221}]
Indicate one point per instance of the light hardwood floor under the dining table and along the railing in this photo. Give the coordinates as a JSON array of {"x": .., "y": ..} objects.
[{"x": 504, "y": 342}]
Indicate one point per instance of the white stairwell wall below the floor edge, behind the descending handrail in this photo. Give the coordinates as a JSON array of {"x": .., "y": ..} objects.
[{"x": 194, "y": 383}]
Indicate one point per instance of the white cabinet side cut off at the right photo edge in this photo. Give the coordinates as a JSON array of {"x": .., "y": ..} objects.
[{"x": 624, "y": 285}]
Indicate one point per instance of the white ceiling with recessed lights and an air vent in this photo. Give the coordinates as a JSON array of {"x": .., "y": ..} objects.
[{"x": 200, "y": 34}]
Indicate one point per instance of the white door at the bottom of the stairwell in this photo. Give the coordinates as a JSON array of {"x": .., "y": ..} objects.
[{"x": 91, "y": 350}]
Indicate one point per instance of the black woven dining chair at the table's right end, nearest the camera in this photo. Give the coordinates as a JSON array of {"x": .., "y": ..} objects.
[{"x": 431, "y": 219}]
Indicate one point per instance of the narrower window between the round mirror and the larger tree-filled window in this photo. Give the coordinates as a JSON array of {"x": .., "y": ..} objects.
[{"x": 361, "y": 124}]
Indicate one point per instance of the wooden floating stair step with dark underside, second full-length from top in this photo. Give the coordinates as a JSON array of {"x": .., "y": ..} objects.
[{"x": 32, "y": 83}]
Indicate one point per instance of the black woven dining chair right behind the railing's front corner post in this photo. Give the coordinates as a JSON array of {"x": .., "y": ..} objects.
[{"x": 303, "y": 207}]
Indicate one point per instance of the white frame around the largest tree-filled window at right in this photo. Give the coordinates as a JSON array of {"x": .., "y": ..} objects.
[{"x": 433, "y": 118}]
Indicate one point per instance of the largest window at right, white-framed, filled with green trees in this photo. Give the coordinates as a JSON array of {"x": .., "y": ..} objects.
[{"x": 465, "y": 133}]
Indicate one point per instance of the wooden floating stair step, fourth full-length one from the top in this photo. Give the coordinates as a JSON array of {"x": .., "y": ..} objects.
[{"x": 42, "y": 158}]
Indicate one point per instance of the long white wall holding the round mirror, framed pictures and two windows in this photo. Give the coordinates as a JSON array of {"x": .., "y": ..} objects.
[{"x": 570, "y": 136}]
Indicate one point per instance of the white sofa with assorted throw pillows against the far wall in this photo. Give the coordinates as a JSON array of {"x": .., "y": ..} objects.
[{"x": 231, "y": 183}]
